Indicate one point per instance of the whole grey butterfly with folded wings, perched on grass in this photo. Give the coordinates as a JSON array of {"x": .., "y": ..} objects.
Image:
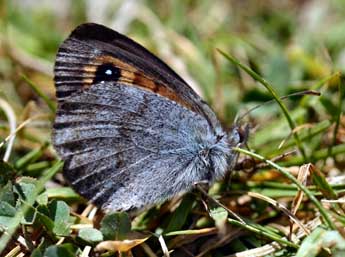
[{"x": 130, "y": 131}]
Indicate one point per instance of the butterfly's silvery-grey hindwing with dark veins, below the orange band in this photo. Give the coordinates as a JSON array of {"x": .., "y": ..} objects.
[{"x": 127, "y": 148}]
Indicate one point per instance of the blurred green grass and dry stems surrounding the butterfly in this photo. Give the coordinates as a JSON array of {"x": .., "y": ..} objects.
[{"x": 293, "y": 45}]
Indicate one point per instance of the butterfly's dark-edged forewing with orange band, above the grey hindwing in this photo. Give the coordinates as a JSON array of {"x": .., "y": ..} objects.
[{"x": 91, "y": 45}]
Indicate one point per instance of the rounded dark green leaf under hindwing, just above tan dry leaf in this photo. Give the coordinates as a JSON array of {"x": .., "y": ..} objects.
[{"x": 115, "y": 226}]
